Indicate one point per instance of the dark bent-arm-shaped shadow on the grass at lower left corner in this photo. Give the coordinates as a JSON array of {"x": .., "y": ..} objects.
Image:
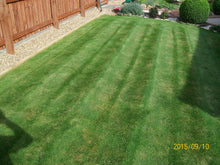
[{"x": 11, "y": 144}]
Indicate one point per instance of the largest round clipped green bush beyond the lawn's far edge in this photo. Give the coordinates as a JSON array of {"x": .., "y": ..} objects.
[{"x": 194, "y": 11}]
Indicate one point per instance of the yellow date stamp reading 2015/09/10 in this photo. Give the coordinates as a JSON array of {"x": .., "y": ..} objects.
[{"x": 193, "y": 146}]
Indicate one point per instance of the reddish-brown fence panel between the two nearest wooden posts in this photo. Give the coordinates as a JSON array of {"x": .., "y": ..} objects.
[{"x": 28, "y": 16}]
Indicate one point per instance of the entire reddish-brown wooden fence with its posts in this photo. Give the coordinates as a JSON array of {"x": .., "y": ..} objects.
[{"x": 18, "y": 18}]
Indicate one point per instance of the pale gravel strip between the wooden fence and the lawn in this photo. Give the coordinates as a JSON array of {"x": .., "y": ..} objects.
[{"x": 32, "y": 45}]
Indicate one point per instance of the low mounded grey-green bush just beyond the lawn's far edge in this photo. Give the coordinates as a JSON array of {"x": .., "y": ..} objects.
[{"x": 133, "y": 8}]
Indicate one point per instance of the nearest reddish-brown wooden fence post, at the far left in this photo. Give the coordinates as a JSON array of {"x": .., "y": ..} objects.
[{"x": 6, "y": 28}]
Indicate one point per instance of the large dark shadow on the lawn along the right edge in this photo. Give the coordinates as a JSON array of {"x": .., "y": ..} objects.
[{"x": 202, "y": 88}]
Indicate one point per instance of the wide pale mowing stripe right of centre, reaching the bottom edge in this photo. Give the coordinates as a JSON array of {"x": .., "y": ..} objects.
[{"x": 152, "y": 132}]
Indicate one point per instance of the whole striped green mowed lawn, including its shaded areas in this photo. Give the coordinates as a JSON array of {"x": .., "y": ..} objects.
[{"x": 119, "y": 90}]
